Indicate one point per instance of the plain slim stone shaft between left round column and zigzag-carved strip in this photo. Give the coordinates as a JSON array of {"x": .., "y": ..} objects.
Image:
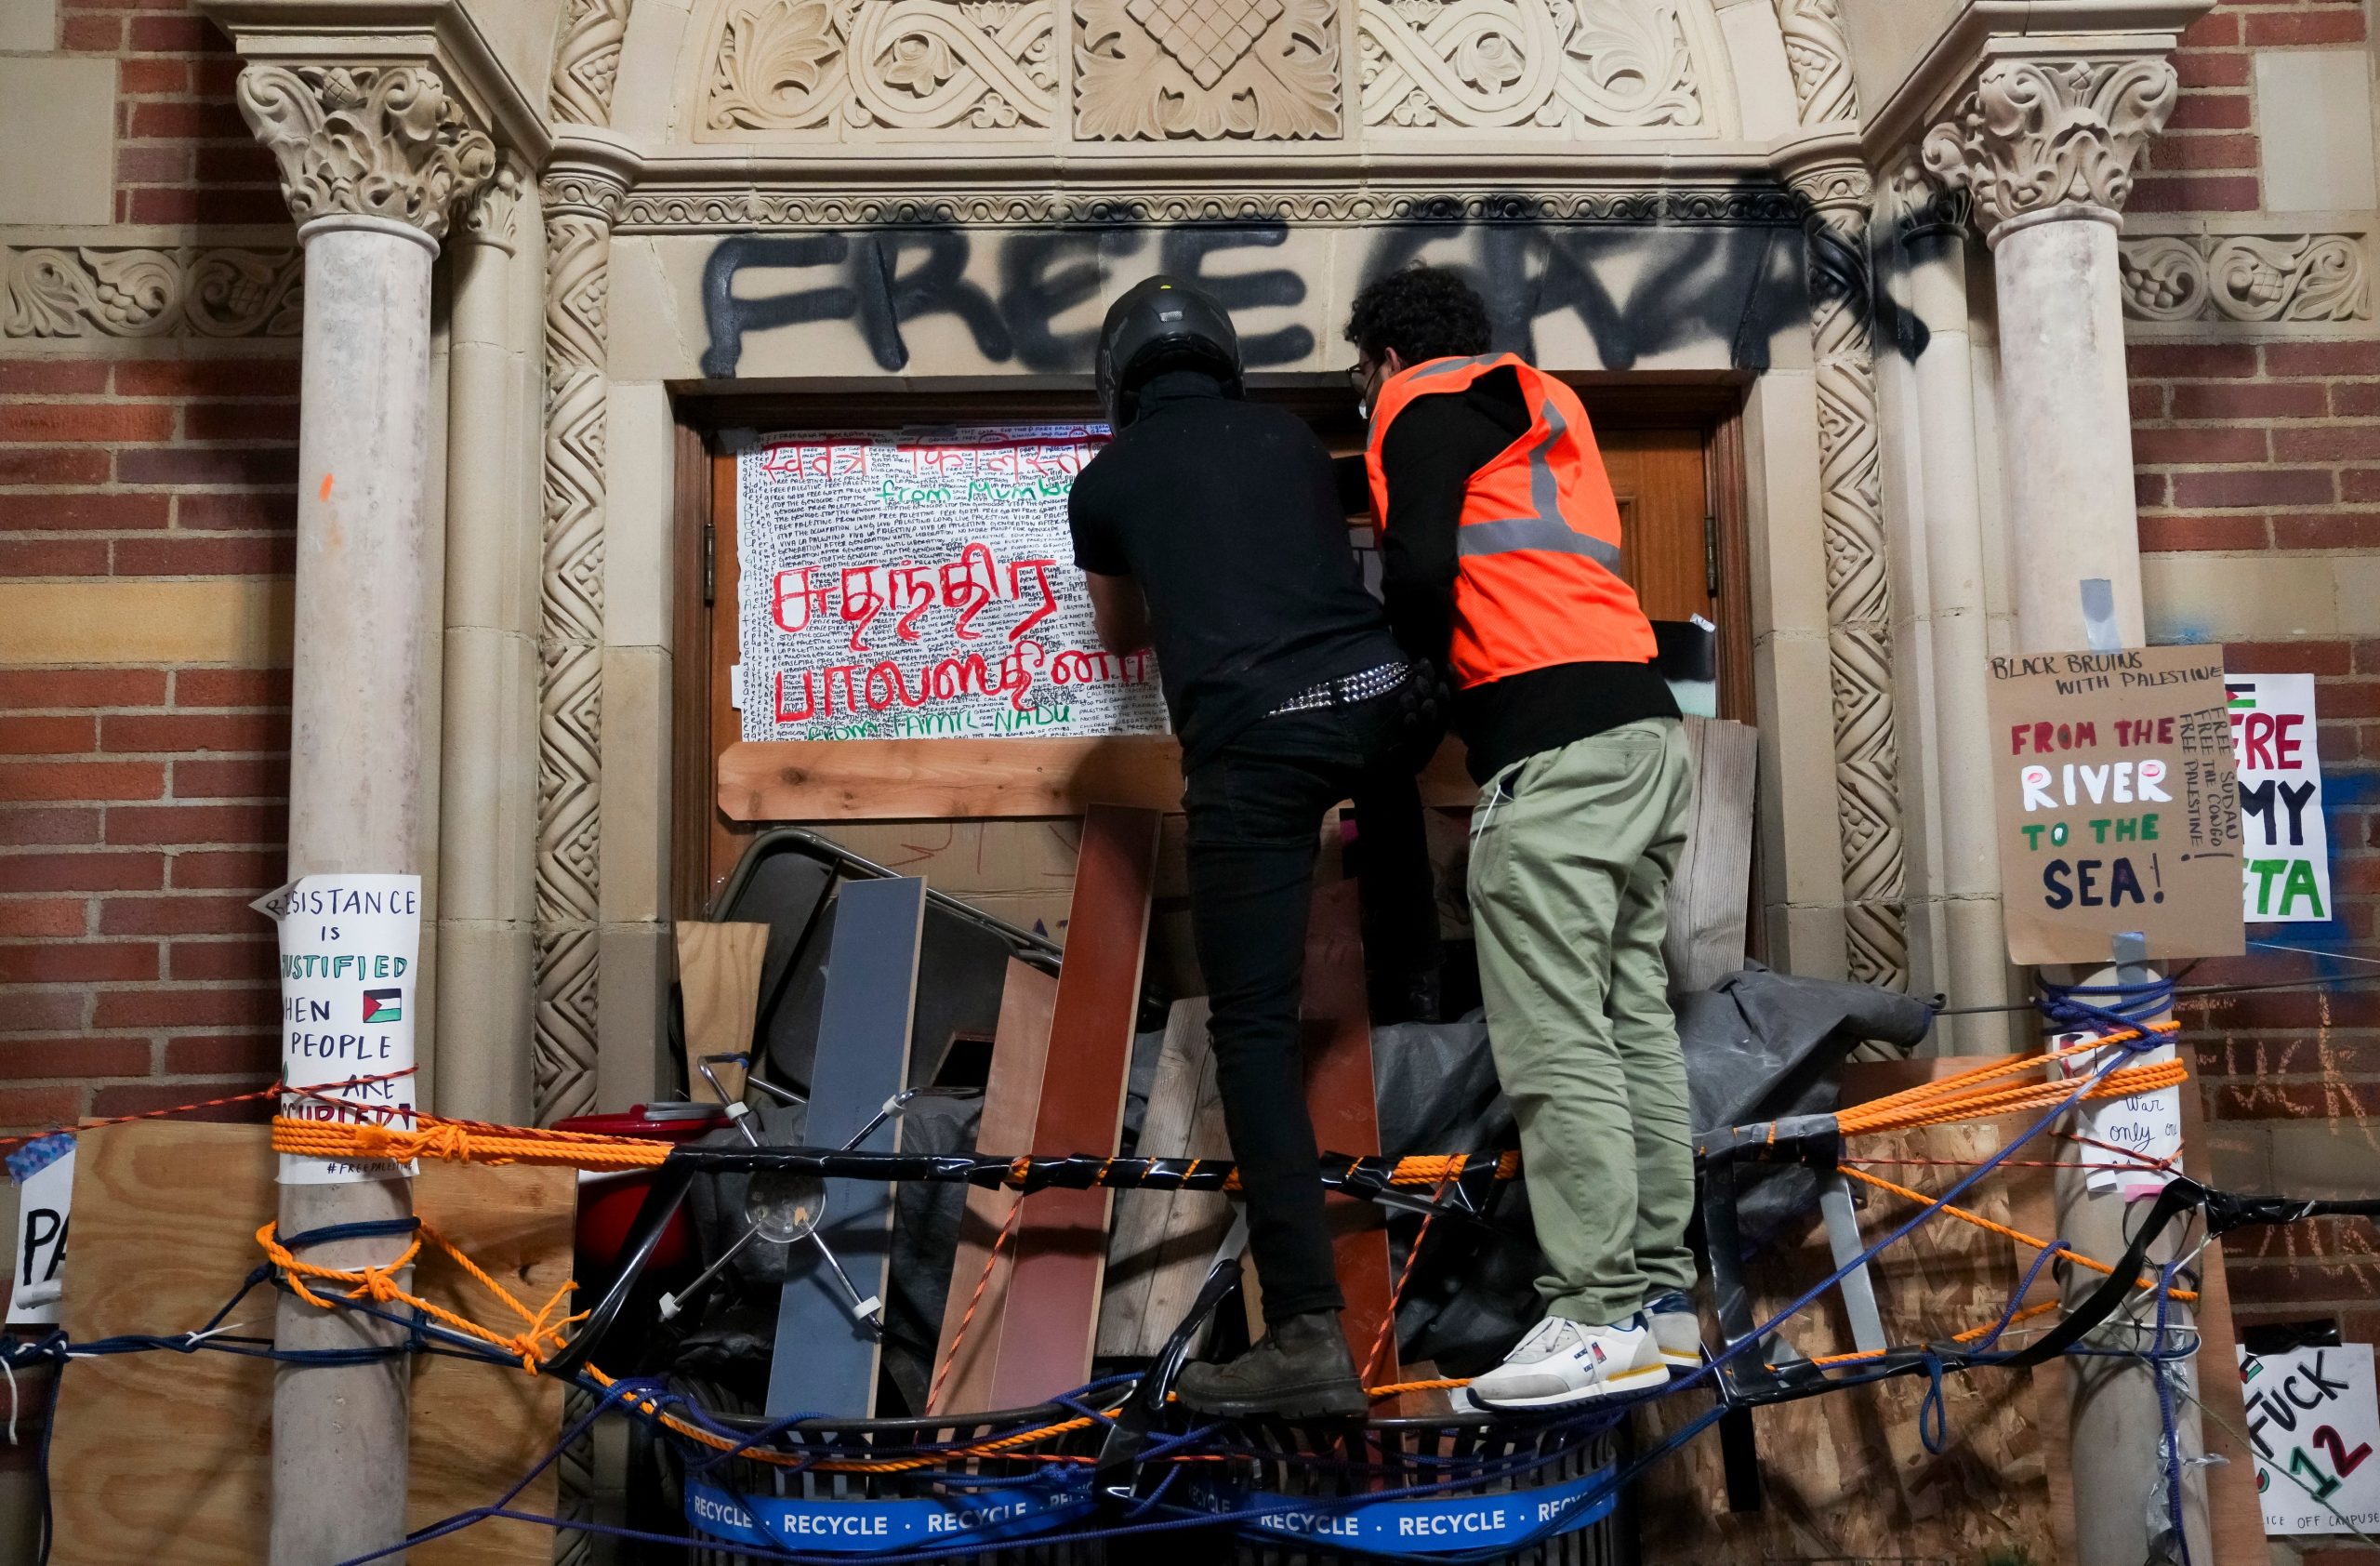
[{"x": 489, "y": 763}]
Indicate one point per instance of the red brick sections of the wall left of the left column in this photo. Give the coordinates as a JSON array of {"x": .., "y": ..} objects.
[{"x": 142, "y": 806}]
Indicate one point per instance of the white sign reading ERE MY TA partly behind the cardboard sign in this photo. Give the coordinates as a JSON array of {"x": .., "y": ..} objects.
[{"x": 2281, "y": 798}]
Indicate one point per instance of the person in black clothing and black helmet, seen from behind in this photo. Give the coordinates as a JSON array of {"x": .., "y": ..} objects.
[{"x": 1213, "y": 532}]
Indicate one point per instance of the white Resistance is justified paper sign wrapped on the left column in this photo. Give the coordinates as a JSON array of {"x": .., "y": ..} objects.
[{"x": 349, "y": 967}]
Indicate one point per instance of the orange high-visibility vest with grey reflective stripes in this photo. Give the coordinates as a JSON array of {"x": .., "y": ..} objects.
[{"x": 1539, "y": 551}]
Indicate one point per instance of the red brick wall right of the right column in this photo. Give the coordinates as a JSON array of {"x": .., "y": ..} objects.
[{"x": 2262, "y": 446}]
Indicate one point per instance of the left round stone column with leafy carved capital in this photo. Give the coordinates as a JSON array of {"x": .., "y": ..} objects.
[{"x": 372, "y": 161}]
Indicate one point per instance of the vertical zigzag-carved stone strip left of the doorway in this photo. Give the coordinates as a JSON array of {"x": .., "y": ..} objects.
[{"x": 570, "y": 651}]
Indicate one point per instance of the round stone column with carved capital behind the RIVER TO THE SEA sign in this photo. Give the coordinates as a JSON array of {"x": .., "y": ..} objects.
[{"x": 2046, "y": 146}]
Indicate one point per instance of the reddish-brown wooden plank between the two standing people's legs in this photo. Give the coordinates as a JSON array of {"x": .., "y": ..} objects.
[{"x": 1346, "y": 1113}]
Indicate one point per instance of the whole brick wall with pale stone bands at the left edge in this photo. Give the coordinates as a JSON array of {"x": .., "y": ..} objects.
[{"x": 149, "y": 422}]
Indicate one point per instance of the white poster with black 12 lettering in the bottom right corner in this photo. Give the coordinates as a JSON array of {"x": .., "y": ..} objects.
[{"x": 2317, "y": 1427}]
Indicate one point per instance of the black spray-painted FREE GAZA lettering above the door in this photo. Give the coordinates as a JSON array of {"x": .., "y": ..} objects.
[{"x": 1684, "y": 284}]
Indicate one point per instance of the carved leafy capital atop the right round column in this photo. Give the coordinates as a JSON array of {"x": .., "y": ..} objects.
[{"x": 2041, "y": 134}]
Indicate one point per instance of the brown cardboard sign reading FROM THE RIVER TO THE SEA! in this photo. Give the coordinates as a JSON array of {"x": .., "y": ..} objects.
[{"x": 2117, "y": 803}]
